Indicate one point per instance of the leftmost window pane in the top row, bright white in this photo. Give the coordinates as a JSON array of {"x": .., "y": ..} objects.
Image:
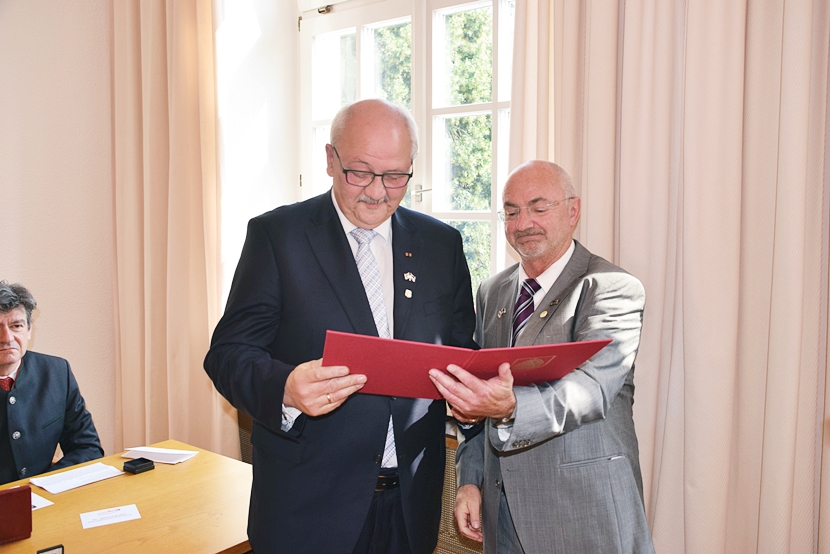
[{"x": 333, "y": 73}]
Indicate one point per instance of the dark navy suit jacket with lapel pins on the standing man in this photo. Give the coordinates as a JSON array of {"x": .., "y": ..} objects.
[{"x": 296, "y": 279}]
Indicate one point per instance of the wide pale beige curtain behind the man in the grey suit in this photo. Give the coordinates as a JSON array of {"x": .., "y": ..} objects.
[{"x": 697, "y": 134}]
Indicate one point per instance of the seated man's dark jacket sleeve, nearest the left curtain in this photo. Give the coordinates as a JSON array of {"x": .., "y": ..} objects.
[{"x": 79, "y": 439}]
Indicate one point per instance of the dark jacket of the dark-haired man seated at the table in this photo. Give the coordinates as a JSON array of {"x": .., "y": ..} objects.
[{"x": 44, "y": 409}]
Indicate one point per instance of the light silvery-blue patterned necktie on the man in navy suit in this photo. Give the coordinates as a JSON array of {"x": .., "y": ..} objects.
[{"x": 370, "y": 275}]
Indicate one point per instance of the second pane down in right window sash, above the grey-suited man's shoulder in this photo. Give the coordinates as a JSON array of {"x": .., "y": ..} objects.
[{"x": 462, "y": 163}]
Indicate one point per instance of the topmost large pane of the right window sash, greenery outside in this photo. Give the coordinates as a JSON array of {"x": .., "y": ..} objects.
[{"x": 463, "y": 56}]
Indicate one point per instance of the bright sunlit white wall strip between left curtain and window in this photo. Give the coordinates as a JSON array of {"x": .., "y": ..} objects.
[{"x": 257, "y": 72}]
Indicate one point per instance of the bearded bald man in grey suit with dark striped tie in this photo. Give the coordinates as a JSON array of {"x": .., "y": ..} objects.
[{"x": 554, "y": 466}]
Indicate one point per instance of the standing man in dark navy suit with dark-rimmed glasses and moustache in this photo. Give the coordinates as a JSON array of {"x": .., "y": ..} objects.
[{"x": 334, "y": 471}]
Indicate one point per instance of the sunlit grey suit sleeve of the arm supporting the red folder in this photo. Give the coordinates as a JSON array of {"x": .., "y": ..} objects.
[{"x": 605, "y": 305}]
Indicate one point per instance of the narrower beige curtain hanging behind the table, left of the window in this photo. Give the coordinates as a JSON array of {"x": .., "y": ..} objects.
[{"x": 166, "y": 225}]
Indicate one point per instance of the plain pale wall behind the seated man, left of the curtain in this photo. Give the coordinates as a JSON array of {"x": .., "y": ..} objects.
[{"x": 56, "y": 184}]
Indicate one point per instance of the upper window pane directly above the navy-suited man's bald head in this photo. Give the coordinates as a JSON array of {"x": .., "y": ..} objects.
[{"x": 391, "y": 49}]
